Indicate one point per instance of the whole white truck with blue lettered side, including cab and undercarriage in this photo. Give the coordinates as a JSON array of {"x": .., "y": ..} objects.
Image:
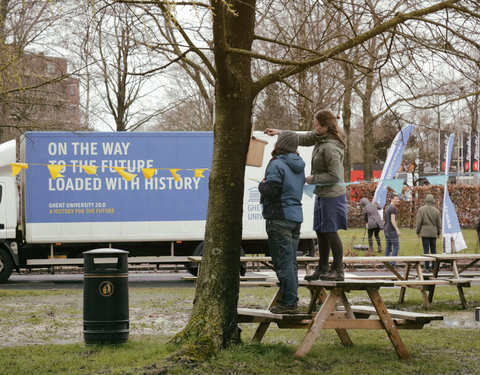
[{"x": 144, "y": 192}]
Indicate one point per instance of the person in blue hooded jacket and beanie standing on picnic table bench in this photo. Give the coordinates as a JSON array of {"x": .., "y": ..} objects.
[{"x": 281, "y": 194}]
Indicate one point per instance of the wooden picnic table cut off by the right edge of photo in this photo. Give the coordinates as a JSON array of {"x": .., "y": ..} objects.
[{"x": 456, "y": 278}]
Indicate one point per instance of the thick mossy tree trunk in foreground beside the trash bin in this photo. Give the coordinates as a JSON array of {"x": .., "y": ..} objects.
[{"x": 213, "y": 324}]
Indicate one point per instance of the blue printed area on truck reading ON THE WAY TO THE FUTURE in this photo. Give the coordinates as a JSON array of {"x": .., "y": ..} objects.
[{"x": 107, "y": 196}]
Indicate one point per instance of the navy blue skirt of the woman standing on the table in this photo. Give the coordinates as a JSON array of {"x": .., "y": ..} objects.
[{"x": 330, "y": 214}]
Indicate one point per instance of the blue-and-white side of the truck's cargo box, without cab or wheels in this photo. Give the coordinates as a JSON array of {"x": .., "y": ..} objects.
[{"x": 105, "y": 207}]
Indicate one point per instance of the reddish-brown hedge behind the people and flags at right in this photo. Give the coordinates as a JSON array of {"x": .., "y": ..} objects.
[{"x": 465, "y": 198}]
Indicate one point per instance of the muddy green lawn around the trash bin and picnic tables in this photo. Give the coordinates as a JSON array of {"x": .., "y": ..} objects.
[{"x": 41, "y": 333}]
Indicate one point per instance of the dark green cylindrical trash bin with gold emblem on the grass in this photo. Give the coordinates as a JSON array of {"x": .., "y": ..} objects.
[{"x": 105, "y": 296}]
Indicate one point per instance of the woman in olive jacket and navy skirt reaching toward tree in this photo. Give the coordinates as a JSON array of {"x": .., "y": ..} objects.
[{"x": 330, "y": 211}]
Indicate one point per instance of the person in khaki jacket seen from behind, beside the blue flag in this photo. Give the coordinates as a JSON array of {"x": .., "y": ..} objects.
[{"x": 429, "y": 227}]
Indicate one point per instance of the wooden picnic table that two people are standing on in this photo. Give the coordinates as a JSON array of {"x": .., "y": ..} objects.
[{"x": 336, "y": 312}]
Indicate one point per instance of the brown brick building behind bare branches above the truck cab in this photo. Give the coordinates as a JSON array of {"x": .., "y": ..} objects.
[{"x": 40, "y": 96}]
